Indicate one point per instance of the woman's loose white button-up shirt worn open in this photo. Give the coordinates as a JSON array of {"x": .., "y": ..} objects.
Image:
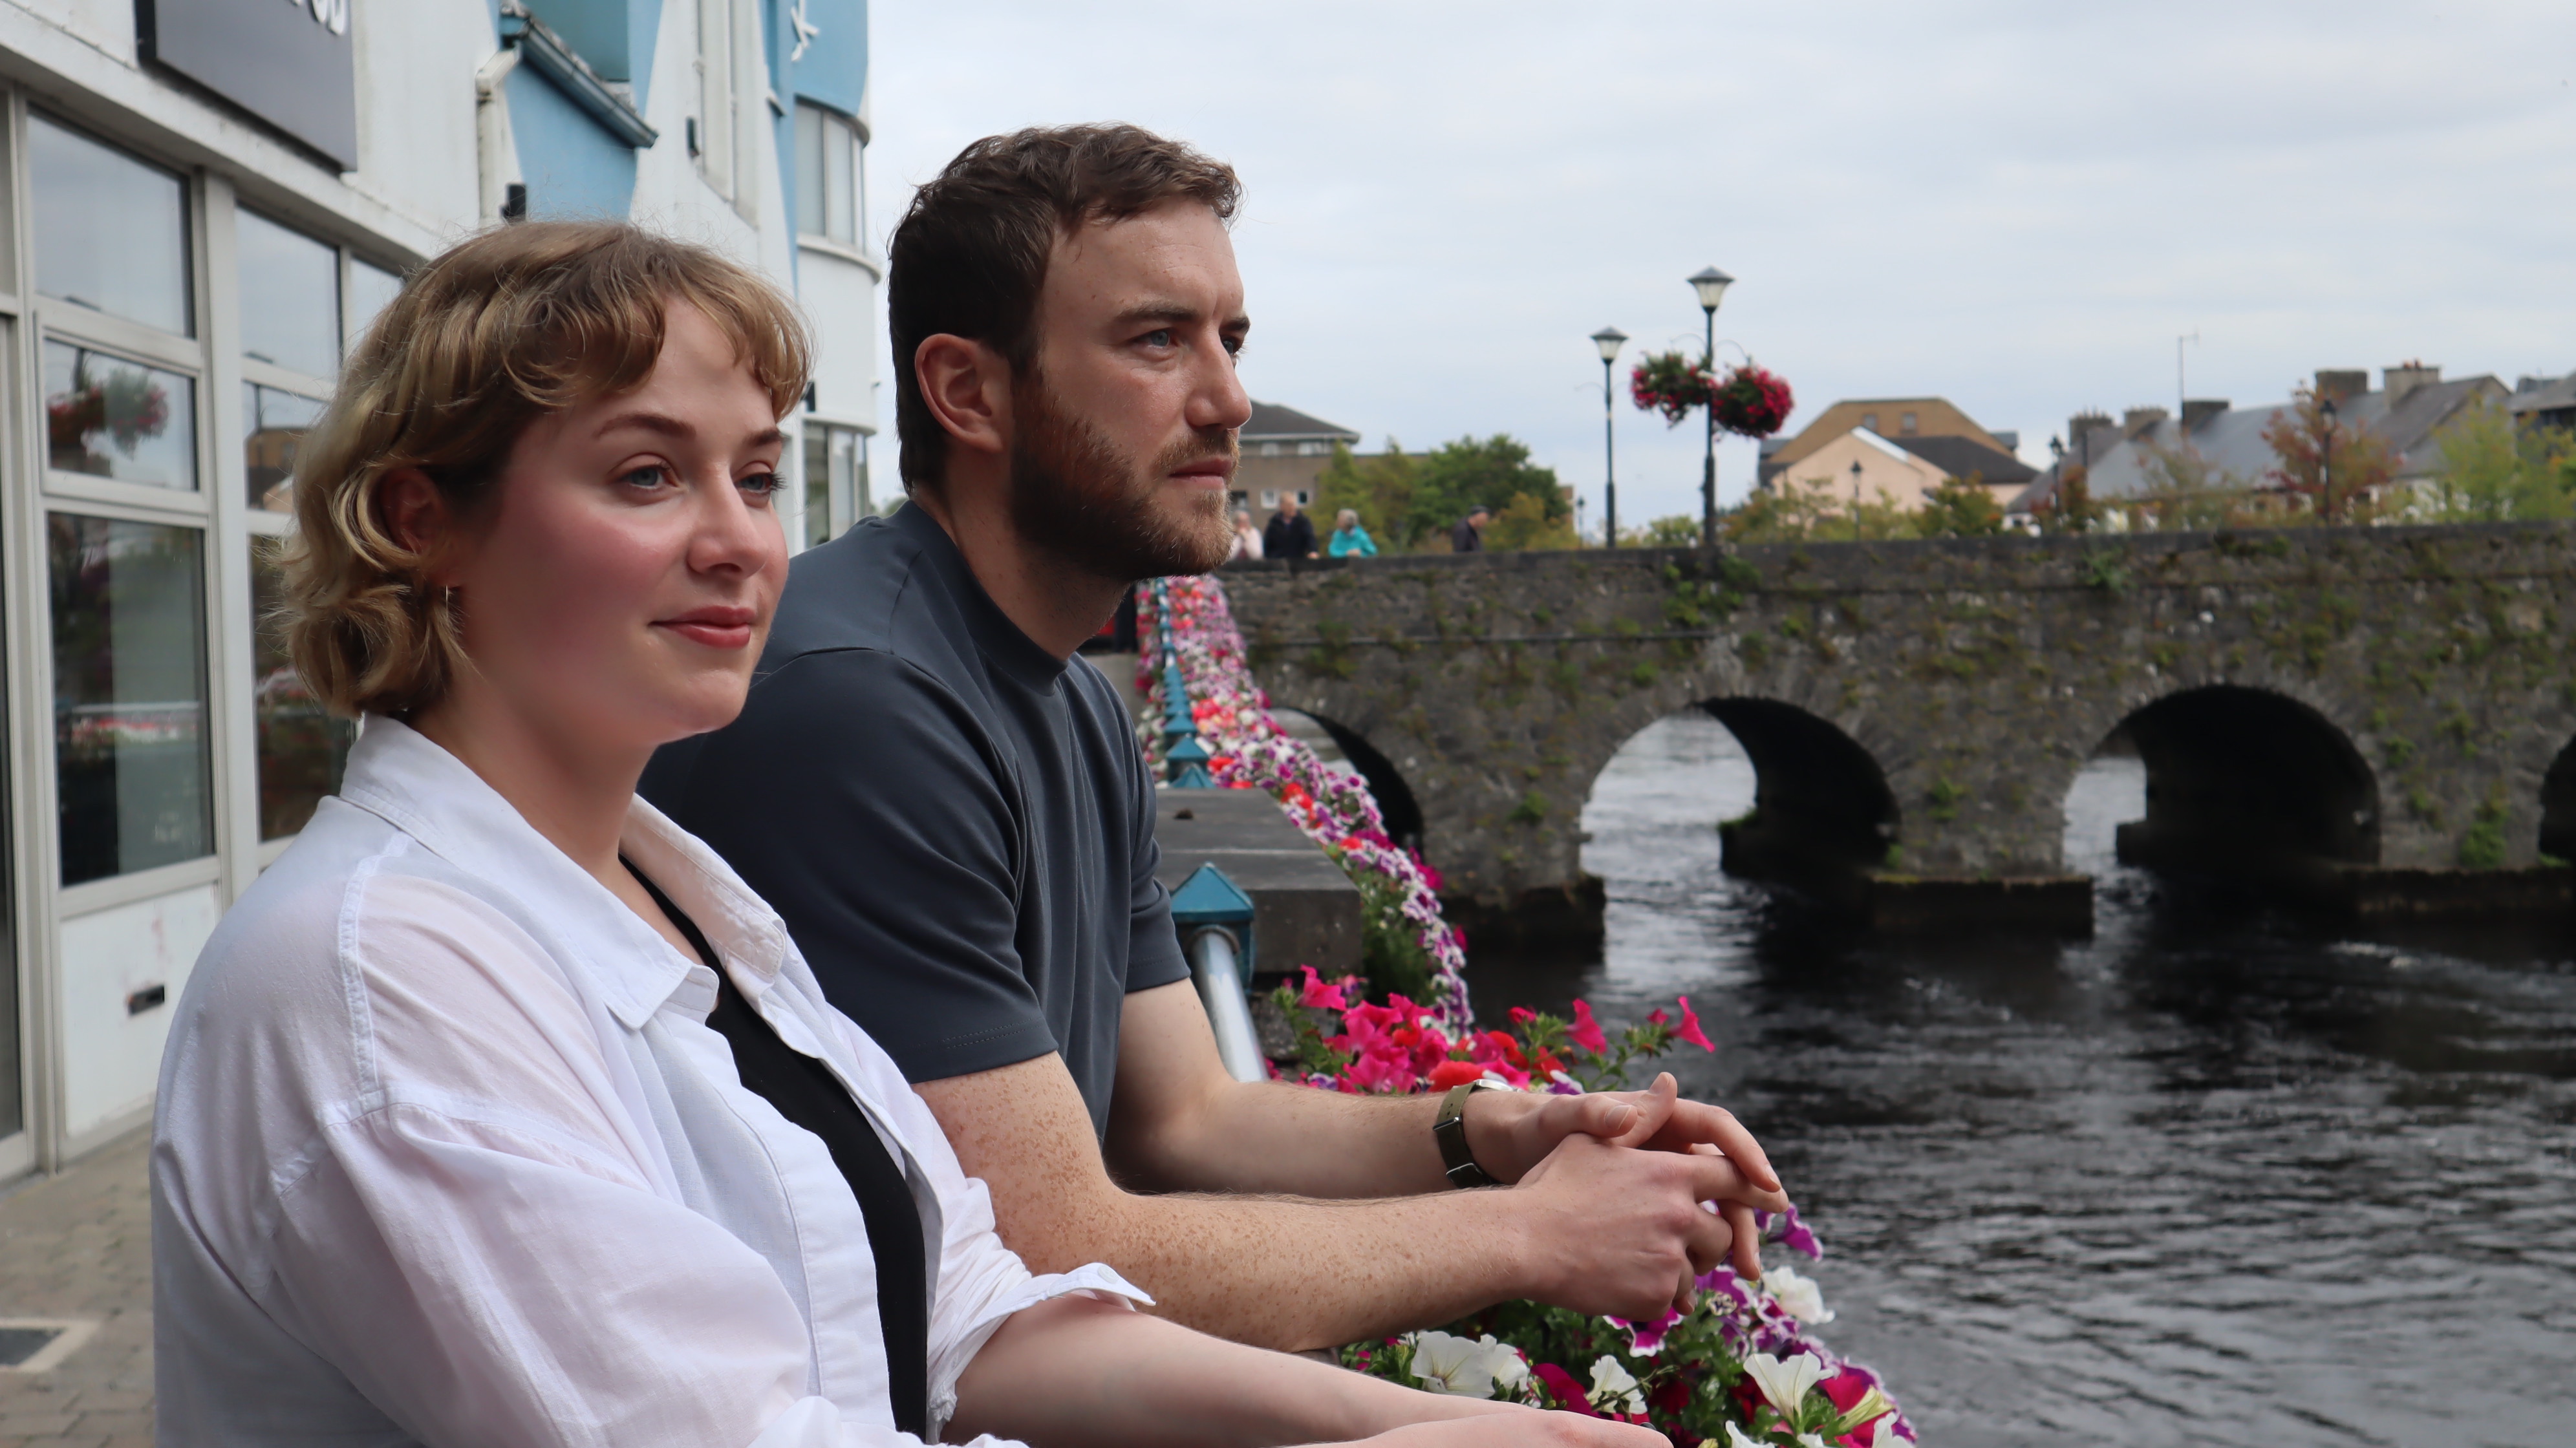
[{"x": 447, "y": 1153}]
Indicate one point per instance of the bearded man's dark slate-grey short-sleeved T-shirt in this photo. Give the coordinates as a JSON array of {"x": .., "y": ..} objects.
[{"x": 954, "y": 823}]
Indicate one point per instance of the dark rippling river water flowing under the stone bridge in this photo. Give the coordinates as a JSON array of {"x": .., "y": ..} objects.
[{"x": 2211, "y": 1176}]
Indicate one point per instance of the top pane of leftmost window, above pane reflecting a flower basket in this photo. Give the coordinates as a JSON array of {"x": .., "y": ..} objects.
[{"x": 112, "y": 233}]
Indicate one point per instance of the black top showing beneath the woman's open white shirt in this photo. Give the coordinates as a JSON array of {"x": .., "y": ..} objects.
[{"x": 810, "y": 1096}]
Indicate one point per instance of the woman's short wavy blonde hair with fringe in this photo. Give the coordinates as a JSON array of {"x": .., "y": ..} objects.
[{"x": 501, "y": 331}]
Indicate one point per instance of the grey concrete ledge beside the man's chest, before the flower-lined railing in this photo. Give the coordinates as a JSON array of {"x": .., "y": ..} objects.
[{"x": 1305, "y": 908}]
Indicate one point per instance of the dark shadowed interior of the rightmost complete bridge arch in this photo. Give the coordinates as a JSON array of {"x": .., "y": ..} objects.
[{"x": 2248, "y": 782}]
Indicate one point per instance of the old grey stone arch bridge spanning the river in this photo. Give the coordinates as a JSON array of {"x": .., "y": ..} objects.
[{"x": 2374, "y": 718}]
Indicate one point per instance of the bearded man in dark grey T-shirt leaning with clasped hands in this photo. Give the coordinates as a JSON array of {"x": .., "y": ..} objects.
[{"x": 949, "y": 808}]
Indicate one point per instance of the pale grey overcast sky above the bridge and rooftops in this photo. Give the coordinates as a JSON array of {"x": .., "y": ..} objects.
[{"x": 2016, "y": 205}]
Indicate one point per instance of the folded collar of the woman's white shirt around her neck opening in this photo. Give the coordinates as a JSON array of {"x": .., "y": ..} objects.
[{"x": 426, "y": 792}]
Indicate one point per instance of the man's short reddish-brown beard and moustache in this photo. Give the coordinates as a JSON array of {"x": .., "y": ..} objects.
[{"x": 1075, "y": 496}]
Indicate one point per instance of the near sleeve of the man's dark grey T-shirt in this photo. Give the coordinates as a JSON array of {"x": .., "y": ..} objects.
[{"x": 893, "y": 857}]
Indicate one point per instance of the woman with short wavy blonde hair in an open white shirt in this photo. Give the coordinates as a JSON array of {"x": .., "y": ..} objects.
[{"x": 504, "y": 1112}]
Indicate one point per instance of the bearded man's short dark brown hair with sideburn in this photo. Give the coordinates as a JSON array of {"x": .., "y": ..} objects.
[{"x": 970, "y": 256}]
